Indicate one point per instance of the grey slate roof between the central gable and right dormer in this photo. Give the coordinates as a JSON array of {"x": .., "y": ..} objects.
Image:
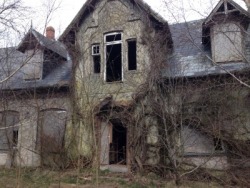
[{"x": 191, "y": 58}]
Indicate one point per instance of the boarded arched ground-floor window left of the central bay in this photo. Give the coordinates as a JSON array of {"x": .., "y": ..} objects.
[{"x": 51, "y": 129}]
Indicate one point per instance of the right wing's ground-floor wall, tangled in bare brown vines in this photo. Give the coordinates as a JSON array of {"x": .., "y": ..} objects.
[{"x": 217, "y": 107}]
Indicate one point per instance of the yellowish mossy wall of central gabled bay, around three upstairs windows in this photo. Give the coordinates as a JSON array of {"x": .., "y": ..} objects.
[{"x": 108, "y": 16}]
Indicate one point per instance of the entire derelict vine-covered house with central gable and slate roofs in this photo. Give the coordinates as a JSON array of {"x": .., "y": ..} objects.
[{"x": 123, "y": 86}]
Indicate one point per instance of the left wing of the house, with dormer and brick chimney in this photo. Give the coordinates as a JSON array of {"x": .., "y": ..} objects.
[{"x": 34, "y": 76}]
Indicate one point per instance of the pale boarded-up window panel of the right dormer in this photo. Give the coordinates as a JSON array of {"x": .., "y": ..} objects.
[{"x": 227, "y": 43}]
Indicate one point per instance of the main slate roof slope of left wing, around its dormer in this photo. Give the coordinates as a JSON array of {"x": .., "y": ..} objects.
[{"x": 12, "y": 66}]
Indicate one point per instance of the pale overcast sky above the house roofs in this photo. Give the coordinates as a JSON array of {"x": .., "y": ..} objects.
[{"x": 171, "y": 10}]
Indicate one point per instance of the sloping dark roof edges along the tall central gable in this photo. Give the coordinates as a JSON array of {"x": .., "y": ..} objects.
[{"x": 89, "y": 5}]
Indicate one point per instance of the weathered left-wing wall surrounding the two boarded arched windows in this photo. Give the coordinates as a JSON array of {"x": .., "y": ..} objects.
[{"x": 27, "y": 154}]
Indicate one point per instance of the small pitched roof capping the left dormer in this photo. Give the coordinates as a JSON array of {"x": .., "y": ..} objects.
[{"x": 52, "y": 45}]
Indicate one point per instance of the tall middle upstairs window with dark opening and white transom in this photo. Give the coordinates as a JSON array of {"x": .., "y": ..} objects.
[{"x": 113, "y": 51}]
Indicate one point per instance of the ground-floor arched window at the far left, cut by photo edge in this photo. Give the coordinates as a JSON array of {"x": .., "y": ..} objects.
[{"x": 9, "y": 130}]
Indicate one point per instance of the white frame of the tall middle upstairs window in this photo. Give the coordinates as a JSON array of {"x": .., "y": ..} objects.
[{"x": 105, "y": 51}]
